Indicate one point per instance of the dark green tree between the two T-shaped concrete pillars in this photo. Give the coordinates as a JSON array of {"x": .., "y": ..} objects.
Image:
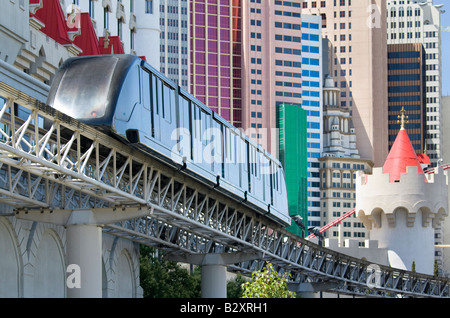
[{"x": 160, "y": 278}]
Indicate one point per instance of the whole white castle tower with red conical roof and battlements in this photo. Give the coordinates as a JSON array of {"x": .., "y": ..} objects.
[{"x": 401, "y": 206}]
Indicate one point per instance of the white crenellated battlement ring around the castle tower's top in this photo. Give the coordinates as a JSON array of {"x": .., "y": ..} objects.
[{"x": 415, "y": 192}]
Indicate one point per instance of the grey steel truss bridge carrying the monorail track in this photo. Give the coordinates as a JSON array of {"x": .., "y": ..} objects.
[{"x": 50, "y": 163}]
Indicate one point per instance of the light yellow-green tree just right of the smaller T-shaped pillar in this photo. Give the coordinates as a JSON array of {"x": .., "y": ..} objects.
[{"x": 267, "y": 284}]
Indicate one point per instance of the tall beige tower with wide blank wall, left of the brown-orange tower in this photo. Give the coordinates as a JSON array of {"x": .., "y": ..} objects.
[{"x": 356, "y": 34}]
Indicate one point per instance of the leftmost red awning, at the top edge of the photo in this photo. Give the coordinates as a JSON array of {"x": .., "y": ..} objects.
[{"x": 52, "y": 15}]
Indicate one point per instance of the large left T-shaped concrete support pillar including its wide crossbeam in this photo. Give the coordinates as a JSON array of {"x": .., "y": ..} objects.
[{"x": 84, "y": 243}]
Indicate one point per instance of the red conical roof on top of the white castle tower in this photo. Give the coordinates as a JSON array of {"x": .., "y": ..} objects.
[{"x": 400, "y": 156}]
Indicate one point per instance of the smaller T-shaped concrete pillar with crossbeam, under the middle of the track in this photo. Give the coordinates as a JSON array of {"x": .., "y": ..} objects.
[{"x": 214, "y": 269}]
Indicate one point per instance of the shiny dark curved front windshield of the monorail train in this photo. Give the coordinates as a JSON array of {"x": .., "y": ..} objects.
[{"x": 83, "y": 89}]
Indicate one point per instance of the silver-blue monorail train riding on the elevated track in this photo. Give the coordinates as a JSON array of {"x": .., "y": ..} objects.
[{"x": 124, "y": 96}]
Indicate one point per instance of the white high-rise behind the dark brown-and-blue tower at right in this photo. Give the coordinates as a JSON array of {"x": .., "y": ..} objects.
[{"x": 414, "y": 21}]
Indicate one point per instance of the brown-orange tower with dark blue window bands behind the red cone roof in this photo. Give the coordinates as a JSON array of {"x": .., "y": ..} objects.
[{"x": 406, "y": 91}]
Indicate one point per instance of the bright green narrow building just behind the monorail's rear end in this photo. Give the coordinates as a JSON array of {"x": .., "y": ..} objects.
[{"x": 292, "y": 125}]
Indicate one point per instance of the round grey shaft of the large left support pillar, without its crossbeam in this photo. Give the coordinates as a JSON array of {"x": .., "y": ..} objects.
[{"x": 84, "y": 261}]
